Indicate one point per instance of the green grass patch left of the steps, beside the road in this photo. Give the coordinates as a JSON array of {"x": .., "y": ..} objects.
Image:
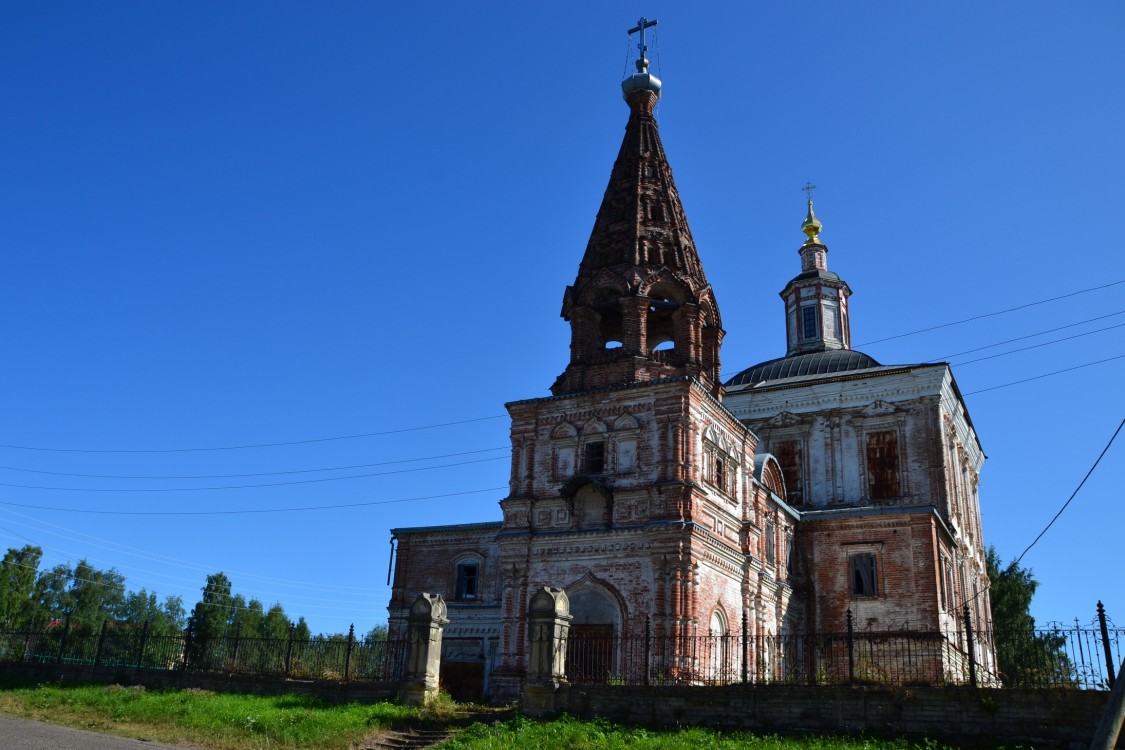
[{"x": 223, "y": 722}]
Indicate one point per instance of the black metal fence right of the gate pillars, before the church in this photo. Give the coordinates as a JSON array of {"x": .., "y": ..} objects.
[{"x": 1079, "y": 657}]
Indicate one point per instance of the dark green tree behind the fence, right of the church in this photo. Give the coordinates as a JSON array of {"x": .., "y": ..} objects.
[{"x": 1027, "y": 658}]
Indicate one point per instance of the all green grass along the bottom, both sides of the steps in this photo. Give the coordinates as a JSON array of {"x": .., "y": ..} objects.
[{"x": 247, "y": 722}]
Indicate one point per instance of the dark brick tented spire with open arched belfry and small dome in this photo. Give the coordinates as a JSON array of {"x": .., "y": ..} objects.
[{"x": 641, "y": 308}]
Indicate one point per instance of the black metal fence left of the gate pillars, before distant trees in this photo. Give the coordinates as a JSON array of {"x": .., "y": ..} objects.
[{"x": 344, "y": 659}]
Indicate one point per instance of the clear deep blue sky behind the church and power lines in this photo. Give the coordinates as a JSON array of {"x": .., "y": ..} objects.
[{"x": 255, "y": 223}]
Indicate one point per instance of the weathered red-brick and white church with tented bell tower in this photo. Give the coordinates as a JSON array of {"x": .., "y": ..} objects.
[{"x": 808, "y": 494}]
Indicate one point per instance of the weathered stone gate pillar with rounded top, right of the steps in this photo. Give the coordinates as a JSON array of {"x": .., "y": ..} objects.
[{"x": 548, "y": 625}]
